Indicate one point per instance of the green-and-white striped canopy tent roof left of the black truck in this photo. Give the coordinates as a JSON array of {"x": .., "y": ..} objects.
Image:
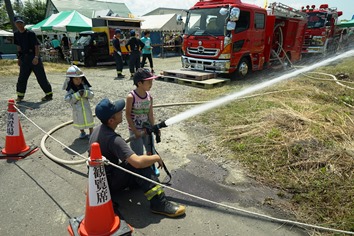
[{"x": 65, "y": 21}]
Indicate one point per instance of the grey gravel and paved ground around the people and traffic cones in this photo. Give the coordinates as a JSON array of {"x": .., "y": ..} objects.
[{"x": 206, "y": 174}]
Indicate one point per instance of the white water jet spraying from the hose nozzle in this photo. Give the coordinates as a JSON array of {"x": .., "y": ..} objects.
[{"x": 224, "y": 100}]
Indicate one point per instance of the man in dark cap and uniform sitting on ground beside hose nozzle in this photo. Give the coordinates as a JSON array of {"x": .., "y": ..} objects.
[{"x": 117, "y": 151}]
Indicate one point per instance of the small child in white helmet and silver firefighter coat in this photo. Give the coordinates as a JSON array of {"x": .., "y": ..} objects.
[{"x": 78, "y": 93}]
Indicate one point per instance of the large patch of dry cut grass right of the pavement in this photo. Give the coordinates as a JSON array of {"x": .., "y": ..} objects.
[{"x": 300, "y": 141}]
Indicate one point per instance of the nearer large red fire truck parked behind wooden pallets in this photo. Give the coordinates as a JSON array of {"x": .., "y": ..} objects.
[{"x": 231, "y": 37}]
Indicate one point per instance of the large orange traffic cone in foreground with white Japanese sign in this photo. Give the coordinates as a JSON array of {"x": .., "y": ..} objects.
[{"x": 99, "y": 216}]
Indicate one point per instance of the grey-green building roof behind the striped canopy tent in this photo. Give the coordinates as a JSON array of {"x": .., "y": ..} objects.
[{"x": 86, "y": 7}]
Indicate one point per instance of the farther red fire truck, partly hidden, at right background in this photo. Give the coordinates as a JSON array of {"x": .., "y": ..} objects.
[{"x": 322, "y": 35}]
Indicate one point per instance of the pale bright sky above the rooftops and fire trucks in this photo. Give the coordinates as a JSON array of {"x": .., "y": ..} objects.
[{"x": 140, "y": 7}]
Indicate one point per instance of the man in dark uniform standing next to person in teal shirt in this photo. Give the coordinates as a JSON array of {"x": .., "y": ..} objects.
[{"x": 134, "y": 46}]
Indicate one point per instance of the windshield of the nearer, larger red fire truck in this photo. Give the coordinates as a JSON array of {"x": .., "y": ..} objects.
[{"x": 205, "y": 22}]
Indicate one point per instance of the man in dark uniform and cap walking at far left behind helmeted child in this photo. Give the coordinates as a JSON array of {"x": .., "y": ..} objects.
[{"x": 29, "y": 60}]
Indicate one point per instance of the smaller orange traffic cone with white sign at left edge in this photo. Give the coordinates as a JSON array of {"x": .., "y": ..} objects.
[{"x": 15, "y": 145}]
